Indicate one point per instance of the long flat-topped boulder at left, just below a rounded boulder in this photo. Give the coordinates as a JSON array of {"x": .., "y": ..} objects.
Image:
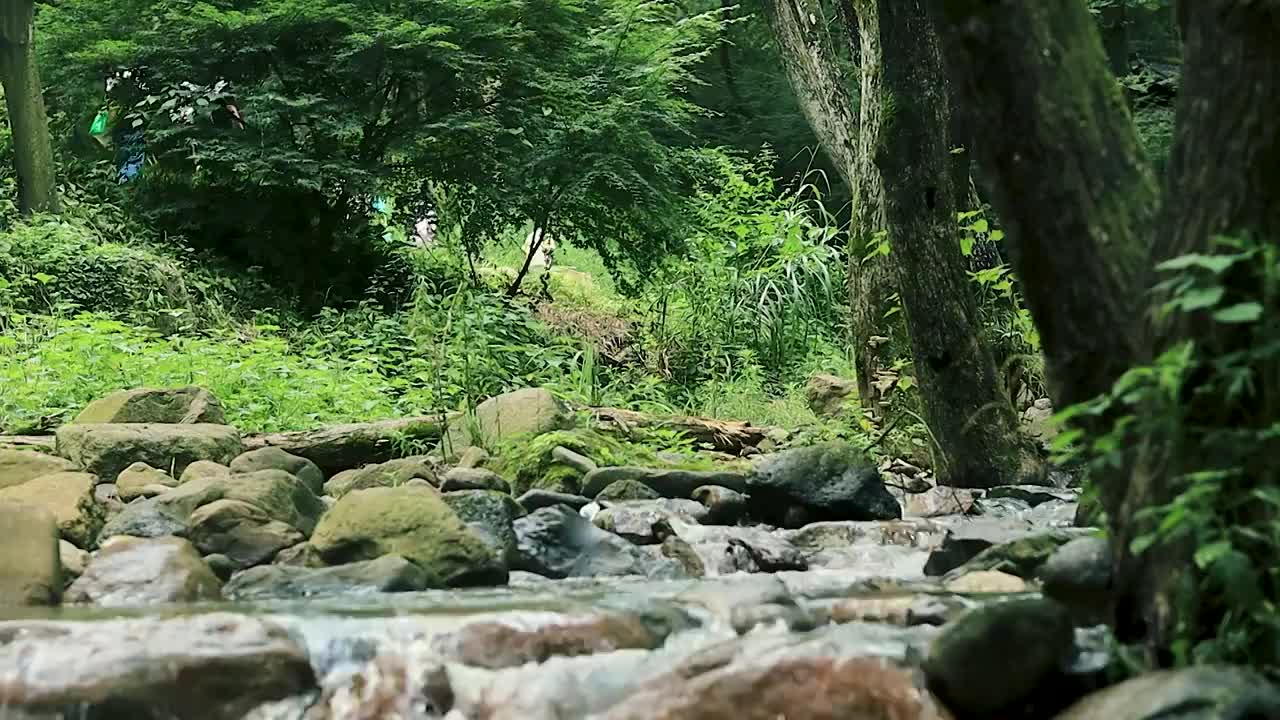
[{"x": 108, "y": 449}]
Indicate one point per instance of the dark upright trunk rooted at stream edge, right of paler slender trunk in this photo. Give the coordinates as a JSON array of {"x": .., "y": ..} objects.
[{"x": 972, "y": 422}]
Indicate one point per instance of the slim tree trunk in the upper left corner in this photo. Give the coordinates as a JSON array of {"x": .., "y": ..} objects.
[{"x": 33, "y": 151}]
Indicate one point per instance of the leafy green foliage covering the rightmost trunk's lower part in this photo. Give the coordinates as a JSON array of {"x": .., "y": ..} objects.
[{"x": 1205, "y": 416}]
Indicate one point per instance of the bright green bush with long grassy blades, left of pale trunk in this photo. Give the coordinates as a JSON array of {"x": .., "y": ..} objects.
[{"x": 764, "y": 284}]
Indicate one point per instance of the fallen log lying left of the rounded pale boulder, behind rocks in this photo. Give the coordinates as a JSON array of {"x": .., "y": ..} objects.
[{"x": 353, "y": 445}]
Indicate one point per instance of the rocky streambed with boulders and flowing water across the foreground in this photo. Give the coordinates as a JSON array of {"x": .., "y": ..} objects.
[{"x": 156, "y": 568}]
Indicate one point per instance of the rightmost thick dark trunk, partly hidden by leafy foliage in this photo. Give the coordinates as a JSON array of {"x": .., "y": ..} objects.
[{"x": 1226, "y": 174}]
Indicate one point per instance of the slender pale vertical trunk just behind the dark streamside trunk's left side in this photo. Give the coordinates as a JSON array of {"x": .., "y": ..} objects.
[{"x": 879, "y": 338}]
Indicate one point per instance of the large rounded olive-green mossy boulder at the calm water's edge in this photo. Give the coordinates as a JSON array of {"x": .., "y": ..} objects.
[{"x": 413, "y": 522}]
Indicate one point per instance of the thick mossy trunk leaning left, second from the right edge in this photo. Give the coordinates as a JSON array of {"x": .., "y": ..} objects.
[{"x": 1068, "y": 177}]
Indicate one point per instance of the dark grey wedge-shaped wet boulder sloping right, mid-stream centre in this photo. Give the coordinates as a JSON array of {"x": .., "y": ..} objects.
[{"x": 557, "y": 543}]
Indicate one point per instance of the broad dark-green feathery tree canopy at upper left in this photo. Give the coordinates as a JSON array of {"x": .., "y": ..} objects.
[{"x": 273, "y": 125}]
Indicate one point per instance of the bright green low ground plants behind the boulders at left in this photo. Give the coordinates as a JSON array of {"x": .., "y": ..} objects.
[{"x": 53, "y": 367}]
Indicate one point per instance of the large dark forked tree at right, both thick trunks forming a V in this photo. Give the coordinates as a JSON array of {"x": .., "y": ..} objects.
[{"x": 1086, "y": 230}]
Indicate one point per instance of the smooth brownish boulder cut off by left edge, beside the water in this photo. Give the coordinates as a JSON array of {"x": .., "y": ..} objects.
[{"x": 30, "y": 560}]
